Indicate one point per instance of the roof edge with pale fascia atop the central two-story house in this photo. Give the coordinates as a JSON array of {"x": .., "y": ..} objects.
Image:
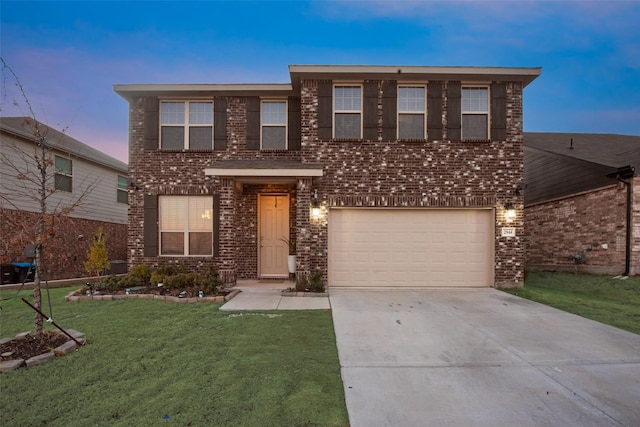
[{"x": 335, "y": 72}]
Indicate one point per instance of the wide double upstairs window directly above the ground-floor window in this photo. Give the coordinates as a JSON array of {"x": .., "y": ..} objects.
[{"x": 186, "y": 125}]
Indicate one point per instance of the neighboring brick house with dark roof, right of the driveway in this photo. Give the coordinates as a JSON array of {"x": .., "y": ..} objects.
[{"x": 581, "y": 202}]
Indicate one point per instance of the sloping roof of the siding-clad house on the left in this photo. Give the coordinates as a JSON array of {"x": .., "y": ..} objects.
[{"x": 20, "y": 126}]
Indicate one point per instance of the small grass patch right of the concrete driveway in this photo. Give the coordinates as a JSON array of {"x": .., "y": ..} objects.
[{"x": 601, "y": 298}]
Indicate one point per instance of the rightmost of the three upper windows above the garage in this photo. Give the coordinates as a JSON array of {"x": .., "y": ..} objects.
[{"x": 475, "y": 113}]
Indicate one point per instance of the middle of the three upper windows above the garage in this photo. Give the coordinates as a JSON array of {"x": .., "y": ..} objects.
[{"x": 411, "y": 112}]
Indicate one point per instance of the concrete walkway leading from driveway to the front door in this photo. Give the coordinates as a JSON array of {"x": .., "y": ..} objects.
[{"x": 256, "y": 295}]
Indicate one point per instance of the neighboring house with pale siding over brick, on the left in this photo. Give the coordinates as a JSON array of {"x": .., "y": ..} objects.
[{"x": 77, "y": 171}]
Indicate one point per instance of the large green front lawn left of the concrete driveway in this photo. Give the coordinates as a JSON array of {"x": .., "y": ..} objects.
[{"x": 200, "y": 367}]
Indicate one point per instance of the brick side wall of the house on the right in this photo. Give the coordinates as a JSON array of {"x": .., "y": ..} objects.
[{"x": 582, "y": 223}]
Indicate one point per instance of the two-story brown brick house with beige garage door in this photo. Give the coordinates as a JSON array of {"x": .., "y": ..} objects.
[{"x": 383, "y": 175}]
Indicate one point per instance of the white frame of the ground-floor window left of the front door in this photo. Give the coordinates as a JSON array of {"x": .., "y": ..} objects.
[{"x": 186, "y": 228}]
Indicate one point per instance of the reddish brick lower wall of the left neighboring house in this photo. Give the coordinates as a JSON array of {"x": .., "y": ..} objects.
[{"x": 67, "y": 243}]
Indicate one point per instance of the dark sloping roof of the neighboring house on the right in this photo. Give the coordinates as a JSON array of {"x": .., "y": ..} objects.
[{"x": 561, "y": 164}]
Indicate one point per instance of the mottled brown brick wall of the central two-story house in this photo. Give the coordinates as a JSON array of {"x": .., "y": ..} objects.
[{"x": 431, "y": 173}]
